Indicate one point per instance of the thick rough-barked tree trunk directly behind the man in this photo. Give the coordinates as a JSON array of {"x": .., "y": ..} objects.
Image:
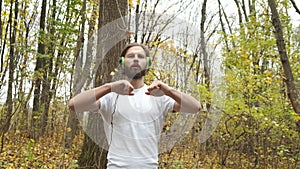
[{"x": 93, "y": 155}]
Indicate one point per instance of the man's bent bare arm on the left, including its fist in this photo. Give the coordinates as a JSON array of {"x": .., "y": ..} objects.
[{"x": 88, "y": 100}]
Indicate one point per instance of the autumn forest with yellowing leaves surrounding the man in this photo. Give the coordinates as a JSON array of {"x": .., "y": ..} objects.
[{"x": 239, "y": 58}]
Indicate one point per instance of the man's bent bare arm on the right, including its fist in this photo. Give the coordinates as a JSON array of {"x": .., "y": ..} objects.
[{"x": 183, "y": 102}]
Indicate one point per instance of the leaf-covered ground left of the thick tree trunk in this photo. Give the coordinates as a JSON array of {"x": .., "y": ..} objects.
[{"x": 19, "y": 151}]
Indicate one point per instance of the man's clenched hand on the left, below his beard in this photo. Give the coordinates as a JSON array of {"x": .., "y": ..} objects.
[{"x": 122, "y": 87}]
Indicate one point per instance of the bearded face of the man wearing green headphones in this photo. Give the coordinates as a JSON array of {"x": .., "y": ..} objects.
[{"x": 135, "y": 62}]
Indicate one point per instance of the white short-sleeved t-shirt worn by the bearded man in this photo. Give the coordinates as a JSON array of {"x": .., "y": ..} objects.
[{"x": 132, "y": 126}]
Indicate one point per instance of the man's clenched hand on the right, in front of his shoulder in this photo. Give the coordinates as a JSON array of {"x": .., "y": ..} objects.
[{"x": 158, "y": 88}]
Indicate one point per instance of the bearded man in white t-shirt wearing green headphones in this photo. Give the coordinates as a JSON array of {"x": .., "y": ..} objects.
[{"x": 133, "y": 112}]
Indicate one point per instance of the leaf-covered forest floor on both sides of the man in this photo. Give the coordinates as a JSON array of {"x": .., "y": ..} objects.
[{"x": 21, "y": 152}]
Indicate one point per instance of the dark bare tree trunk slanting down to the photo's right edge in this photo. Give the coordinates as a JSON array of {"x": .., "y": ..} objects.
[{"x": 289, "y": 78}]
